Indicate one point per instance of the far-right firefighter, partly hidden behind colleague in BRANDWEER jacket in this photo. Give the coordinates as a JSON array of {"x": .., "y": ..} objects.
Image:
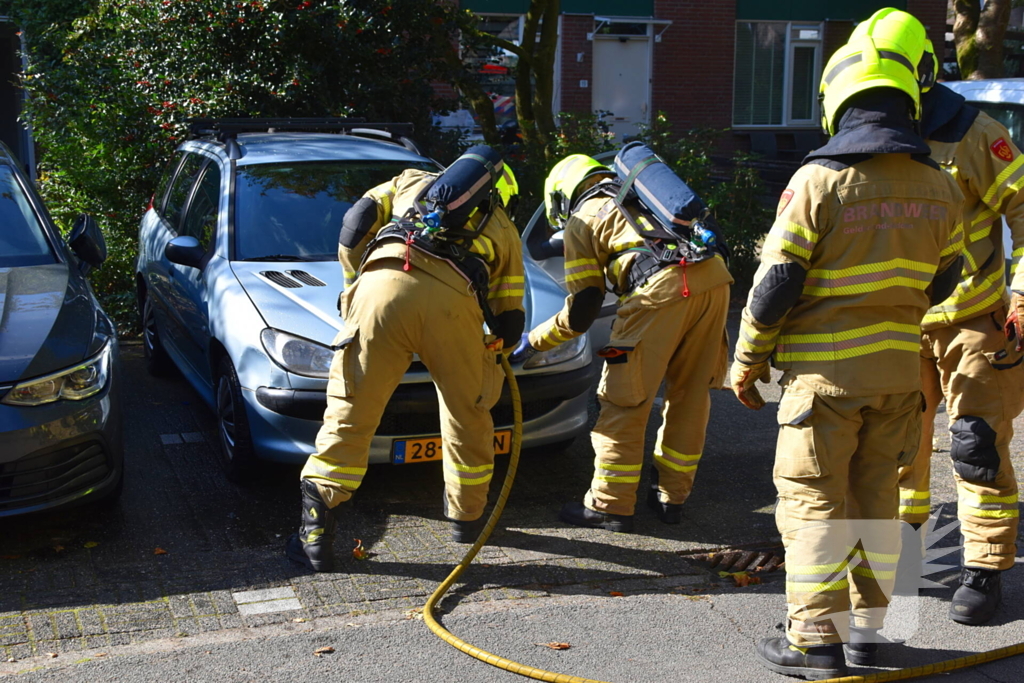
[{"x": 966, "y": 358}]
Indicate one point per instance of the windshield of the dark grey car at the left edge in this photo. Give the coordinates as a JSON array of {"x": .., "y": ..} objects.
[{"x": 22, "y": 238}]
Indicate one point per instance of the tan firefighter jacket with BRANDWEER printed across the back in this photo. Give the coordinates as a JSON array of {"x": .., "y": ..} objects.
[{"x": 871, "y": 238}]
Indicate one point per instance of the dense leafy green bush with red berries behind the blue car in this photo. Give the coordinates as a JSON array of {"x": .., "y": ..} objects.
[{"x": 111, "y": 91}]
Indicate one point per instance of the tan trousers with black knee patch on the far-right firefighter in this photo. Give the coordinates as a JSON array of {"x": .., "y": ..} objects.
[{"x": 982, "y": 377}]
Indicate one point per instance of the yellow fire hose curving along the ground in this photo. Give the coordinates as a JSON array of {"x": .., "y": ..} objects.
[{"x": 552, "y": 677}]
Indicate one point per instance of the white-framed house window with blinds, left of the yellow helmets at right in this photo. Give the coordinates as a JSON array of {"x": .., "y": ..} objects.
[{"x": 778, "y": 67}]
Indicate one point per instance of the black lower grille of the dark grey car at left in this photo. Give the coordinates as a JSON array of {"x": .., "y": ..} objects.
[{"x": 44, "y": 478}]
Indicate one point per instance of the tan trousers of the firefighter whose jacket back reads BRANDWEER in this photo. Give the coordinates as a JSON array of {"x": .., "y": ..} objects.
[{"x": 836, "y": 472}]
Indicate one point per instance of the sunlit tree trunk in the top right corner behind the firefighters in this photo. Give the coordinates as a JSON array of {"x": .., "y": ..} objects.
[{"x": 978, "y": 34}]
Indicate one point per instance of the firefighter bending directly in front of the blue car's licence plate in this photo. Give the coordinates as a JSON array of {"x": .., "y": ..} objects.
[{"x": 409, "y": 291}]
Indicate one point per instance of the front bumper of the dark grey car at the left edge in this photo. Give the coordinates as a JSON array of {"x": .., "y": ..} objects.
[{"x": 62, "y": 454}]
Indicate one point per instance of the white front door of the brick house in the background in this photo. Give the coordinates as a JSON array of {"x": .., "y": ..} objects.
[{"x": 622, "y": 81}]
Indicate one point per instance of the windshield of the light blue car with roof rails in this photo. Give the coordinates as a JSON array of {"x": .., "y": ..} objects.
[{"x": 294, "y": 210}]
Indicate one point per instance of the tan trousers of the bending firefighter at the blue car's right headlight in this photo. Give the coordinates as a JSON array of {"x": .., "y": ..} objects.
[{"x": 684, "y": 343}]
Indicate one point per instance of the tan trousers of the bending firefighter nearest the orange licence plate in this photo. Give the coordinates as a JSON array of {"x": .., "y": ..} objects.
[{"x": 390, "y": 316}]
